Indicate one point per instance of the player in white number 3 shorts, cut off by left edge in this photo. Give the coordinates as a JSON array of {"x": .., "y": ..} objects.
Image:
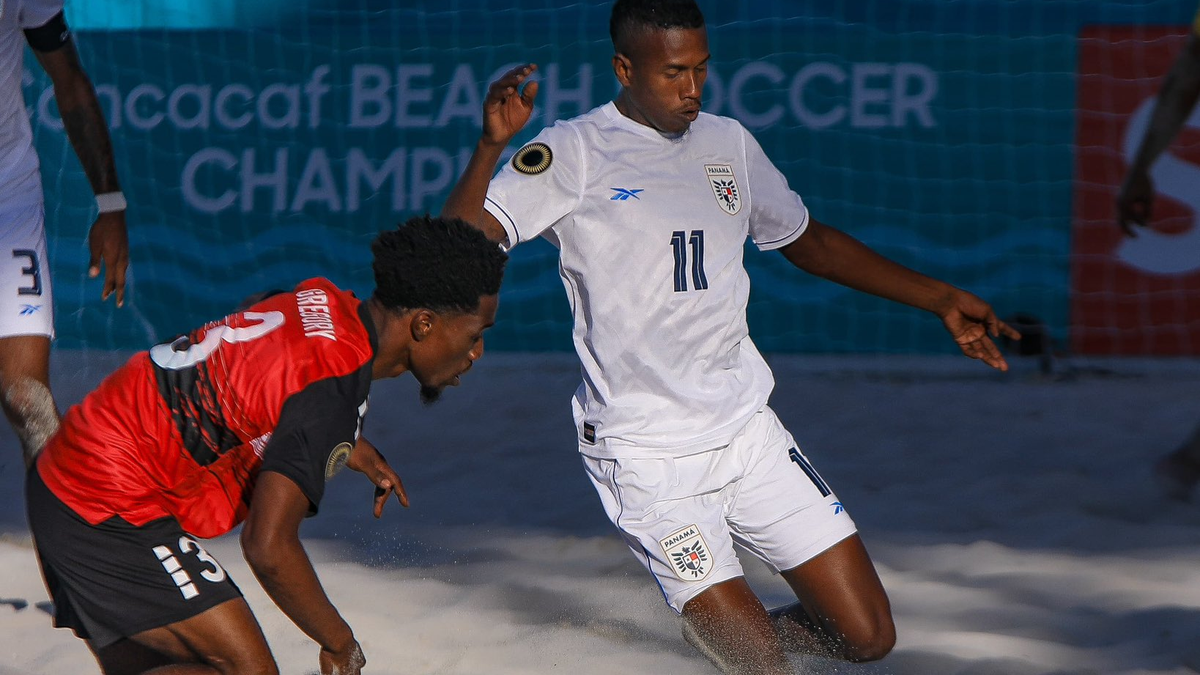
[{"x": 27, "y": 321}]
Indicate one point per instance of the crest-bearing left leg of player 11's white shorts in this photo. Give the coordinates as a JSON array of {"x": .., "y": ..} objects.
[{"x": 671, "y": 515}]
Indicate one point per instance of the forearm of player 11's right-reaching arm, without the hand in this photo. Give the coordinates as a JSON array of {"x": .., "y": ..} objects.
[{"x": 839, "y": 258}]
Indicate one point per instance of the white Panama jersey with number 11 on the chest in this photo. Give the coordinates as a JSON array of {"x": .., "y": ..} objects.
[{"x": 651, "y": 232}]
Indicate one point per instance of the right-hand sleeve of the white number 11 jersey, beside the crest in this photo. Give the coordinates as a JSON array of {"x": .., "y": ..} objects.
[{"x": 778, "y": 216}]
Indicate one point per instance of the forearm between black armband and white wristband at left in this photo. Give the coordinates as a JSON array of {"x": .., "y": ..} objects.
[{"x": 88, "y": 132}]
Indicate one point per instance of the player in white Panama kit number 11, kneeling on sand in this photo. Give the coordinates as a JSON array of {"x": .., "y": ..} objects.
[{"x": 651, "y": 202}]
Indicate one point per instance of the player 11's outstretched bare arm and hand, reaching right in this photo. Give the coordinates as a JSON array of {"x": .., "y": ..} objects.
[{"x": 835, "y": 255}]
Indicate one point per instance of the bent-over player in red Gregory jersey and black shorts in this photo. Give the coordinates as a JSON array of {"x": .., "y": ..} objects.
[{"x": 244, "y": 420}]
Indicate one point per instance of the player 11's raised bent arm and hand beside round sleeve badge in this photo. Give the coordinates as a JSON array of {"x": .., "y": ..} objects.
[{"x": 507, "y": 110}]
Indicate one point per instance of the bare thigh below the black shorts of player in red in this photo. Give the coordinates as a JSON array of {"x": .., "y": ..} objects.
[{"x": 226, "y": 637}]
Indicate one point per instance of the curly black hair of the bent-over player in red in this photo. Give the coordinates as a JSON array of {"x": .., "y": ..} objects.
[{"x": 436, "y": 264}]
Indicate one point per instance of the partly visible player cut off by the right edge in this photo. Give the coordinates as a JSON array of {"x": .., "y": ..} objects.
[{"x": 1179, "y": 471}]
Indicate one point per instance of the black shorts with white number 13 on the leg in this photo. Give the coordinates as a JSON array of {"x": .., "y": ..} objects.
[{"x": 115, "y": 581}]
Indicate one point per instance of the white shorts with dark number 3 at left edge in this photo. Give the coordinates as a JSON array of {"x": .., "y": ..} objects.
[{"x": 27, "y": 306}]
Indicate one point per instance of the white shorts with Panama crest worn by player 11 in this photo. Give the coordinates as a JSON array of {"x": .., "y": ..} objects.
[{"x": 682, "y": 516}]
